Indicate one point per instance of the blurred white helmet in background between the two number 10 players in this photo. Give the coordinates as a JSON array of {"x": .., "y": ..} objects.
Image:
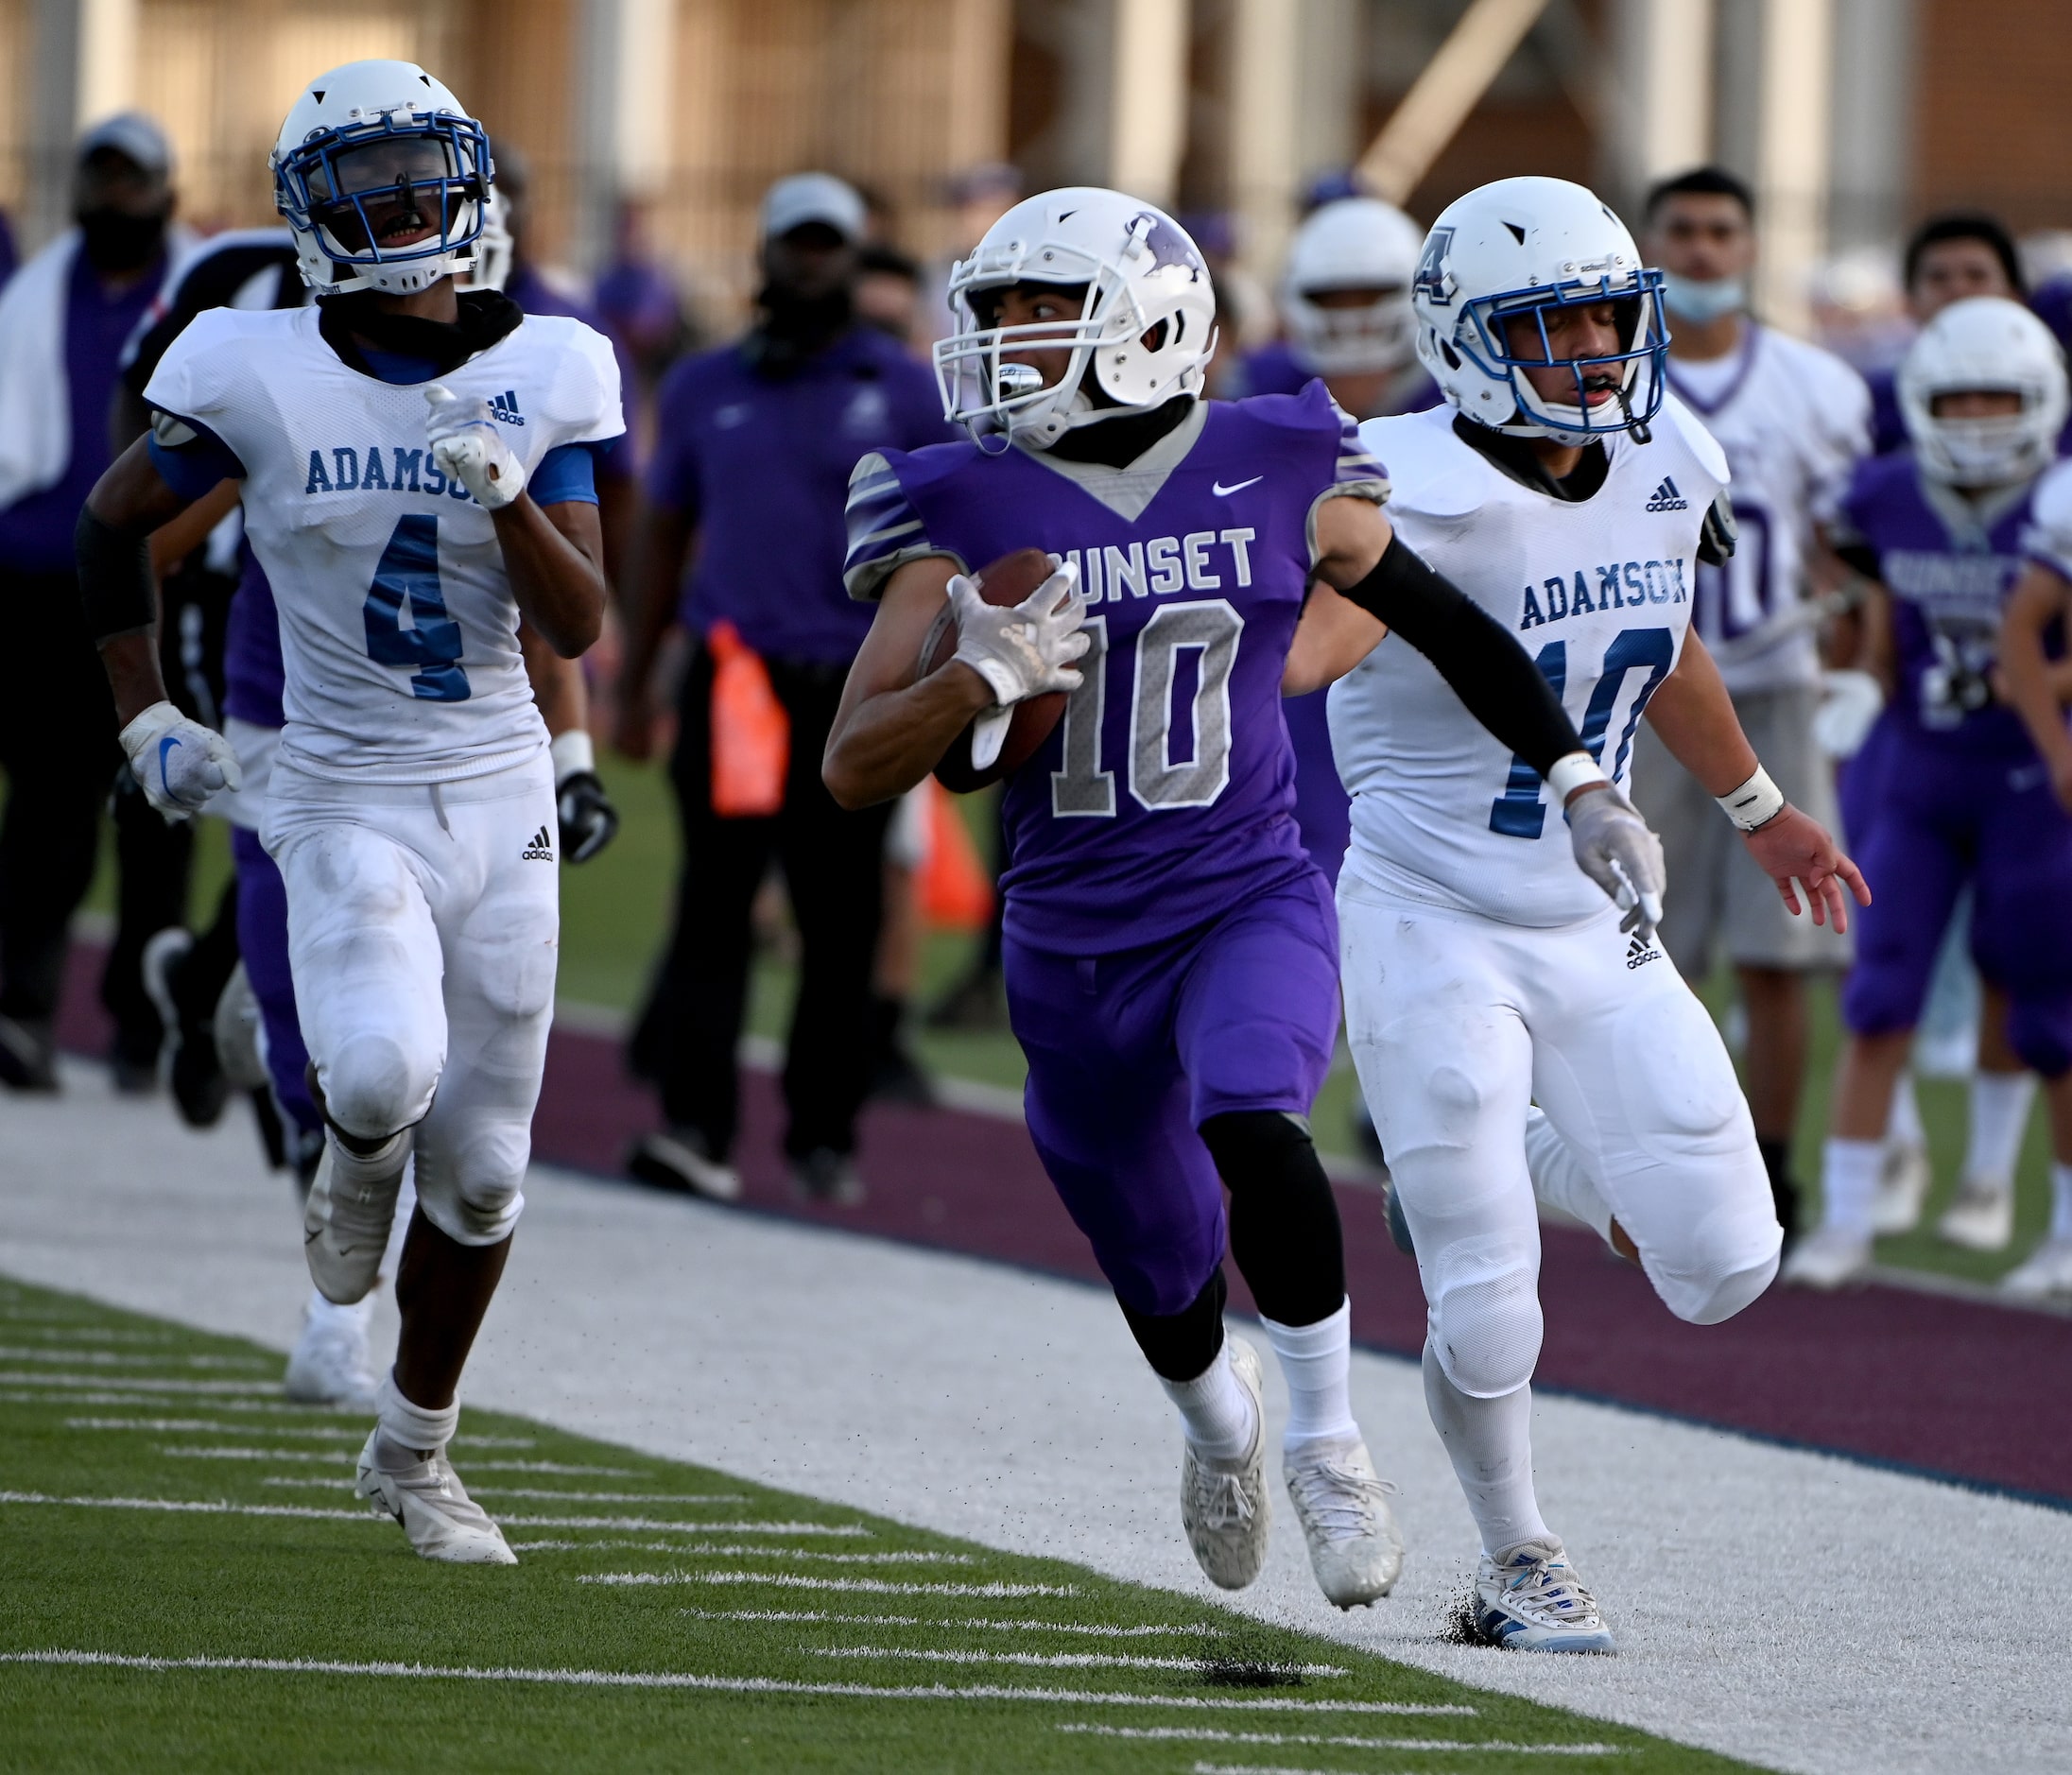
[{"x": 1356, "y": 243}]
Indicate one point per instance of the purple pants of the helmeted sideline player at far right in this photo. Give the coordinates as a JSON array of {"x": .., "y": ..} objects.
[{"x": 1945, "y": 819}]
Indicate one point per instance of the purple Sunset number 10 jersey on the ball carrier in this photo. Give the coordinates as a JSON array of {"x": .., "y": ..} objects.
[{"x": 1168, "y": 792}]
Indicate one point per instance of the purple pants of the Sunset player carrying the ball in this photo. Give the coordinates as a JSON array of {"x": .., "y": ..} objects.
[{"x": 1132, "y": 1053}]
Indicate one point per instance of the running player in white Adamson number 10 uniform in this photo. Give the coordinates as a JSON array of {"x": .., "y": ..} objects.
[{"x": 1572, "y": 500}]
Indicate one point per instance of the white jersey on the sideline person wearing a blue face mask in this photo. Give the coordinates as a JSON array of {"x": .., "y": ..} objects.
[{"x": 1793, "y": 421}]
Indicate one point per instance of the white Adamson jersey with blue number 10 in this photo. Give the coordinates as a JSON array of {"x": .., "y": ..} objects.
[{"x": 1599, "y": 591}]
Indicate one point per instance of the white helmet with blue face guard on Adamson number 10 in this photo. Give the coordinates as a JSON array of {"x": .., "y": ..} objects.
[{"x": 1528, "y": 248}]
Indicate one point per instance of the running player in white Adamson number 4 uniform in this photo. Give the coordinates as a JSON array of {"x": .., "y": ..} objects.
[{"x": 418, "y": 473}]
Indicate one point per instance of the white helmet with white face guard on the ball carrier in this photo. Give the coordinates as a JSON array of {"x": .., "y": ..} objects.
[{"x": 1149, "y": 322}]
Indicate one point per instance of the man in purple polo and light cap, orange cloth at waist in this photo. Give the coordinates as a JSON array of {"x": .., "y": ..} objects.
[{"x": 753, "y": 450}]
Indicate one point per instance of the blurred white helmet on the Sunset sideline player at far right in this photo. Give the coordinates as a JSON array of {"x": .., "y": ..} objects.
[{"x": 1984, "y": 345}]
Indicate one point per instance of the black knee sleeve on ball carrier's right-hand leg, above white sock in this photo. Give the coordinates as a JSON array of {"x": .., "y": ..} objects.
[{"x": 1284, "y": 1219}]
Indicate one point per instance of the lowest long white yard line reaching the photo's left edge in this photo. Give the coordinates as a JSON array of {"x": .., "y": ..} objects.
[{"x": 724, "y": 1685}]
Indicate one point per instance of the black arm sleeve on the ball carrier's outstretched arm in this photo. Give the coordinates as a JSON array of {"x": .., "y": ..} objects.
[{"x": 1474, "y": 653}]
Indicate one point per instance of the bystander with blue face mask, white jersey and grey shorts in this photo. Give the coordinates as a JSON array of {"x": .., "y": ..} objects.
[{"x": 1791, "y": 419}]
